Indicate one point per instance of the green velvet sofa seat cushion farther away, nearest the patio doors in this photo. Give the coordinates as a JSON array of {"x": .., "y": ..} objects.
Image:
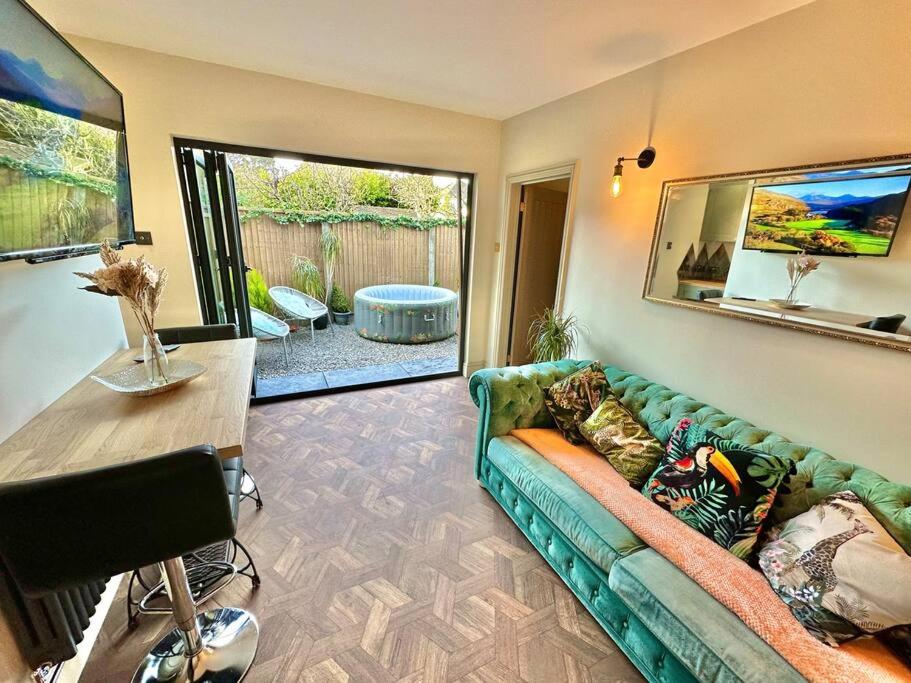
[{"x": 582, "y": 519}]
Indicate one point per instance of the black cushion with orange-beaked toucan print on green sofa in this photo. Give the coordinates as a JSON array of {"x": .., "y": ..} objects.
[{"x": 719, "y": 487}]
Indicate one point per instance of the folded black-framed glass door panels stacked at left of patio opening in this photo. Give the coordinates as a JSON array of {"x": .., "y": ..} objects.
[{"x": 207, "y": 184}]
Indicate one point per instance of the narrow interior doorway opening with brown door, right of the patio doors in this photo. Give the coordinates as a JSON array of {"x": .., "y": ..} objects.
[{"x": 539, "y": 245}]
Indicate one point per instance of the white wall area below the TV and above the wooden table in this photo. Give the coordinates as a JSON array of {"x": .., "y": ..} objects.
[{"x": 53, "y": 334}]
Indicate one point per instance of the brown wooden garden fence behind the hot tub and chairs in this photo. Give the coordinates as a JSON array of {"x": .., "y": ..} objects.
[{"x": 370, "y": 254}]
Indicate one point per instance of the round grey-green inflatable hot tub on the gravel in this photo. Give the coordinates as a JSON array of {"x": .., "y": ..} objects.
[{"x": 405, "y": 314}]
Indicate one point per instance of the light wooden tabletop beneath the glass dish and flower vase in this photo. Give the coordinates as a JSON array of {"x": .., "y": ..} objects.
[{"x": 90, "y": 426}]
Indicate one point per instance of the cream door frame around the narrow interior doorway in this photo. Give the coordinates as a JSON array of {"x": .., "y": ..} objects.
[{"x": 509, "y": 229}]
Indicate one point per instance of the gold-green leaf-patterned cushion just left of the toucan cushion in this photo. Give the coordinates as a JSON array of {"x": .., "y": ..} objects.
[{"x": 613, "y": 431}]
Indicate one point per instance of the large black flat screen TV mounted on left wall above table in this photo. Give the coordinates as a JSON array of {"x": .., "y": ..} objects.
[{"x": 64, "y": 179}]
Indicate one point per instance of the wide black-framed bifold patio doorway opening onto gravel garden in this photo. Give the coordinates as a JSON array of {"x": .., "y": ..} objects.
[{"x": 349, "y": 273}]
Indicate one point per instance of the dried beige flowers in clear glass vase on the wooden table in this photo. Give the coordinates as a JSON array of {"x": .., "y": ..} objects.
[{"x": 142, "y": 286}]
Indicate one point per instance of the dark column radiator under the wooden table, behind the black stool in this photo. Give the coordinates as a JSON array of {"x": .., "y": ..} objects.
[{"x": 48, "y": 630}]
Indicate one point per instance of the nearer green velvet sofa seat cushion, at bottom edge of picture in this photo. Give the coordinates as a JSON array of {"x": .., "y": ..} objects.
[{"x": 697, "y": 629}]
